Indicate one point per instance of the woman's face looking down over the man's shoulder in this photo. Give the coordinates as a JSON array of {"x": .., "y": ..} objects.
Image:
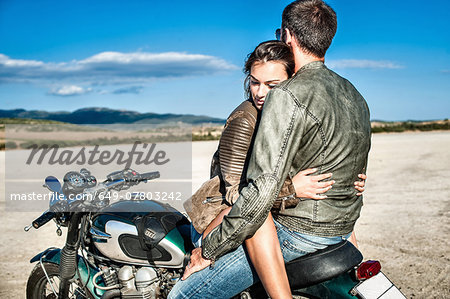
[{"x": 263, "y": 77}]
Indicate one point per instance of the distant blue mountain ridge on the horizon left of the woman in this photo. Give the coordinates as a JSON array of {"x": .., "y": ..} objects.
[{"x": 109, "y": 116}]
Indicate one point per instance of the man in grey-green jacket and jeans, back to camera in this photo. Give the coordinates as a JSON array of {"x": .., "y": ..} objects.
[{"x": 315, "y": 119}]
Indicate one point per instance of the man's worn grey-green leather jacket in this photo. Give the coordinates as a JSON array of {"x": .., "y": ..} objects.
[{"x": 315, "y": 119}]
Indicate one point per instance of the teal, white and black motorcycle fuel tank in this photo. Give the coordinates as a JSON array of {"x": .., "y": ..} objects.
[{"x": 143, "y": 232}]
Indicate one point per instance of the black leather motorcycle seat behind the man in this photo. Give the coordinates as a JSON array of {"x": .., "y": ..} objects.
[{"x": 322, "y": 265}]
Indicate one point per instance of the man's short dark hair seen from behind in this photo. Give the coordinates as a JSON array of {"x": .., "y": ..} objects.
[{"x": 313, "y": 24}]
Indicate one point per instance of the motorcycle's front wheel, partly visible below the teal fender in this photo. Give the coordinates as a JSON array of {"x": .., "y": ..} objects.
[{"x": 39, "y": 287}]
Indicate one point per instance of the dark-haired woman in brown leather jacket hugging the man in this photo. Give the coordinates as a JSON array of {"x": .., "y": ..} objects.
[{"x": 269, "y": 64}]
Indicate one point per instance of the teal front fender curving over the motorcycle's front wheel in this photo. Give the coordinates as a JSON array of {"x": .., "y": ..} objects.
[{"x": 54, "y": 255}]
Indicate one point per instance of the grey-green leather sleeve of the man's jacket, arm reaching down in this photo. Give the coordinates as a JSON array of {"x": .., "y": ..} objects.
[{"x": 276, "y": 143}]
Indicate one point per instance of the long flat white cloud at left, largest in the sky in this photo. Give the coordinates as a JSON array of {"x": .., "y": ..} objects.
[{"x": 113, "y": 67}]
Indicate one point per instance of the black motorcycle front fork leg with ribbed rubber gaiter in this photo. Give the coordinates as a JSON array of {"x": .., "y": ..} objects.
[{"x": 68, "y": 263}]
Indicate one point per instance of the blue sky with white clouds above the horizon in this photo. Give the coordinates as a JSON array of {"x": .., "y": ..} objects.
[{"x": 186, "y": 57}]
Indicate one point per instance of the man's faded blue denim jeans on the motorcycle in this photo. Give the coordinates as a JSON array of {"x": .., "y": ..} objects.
[{"x": 233, "y": 272}]
